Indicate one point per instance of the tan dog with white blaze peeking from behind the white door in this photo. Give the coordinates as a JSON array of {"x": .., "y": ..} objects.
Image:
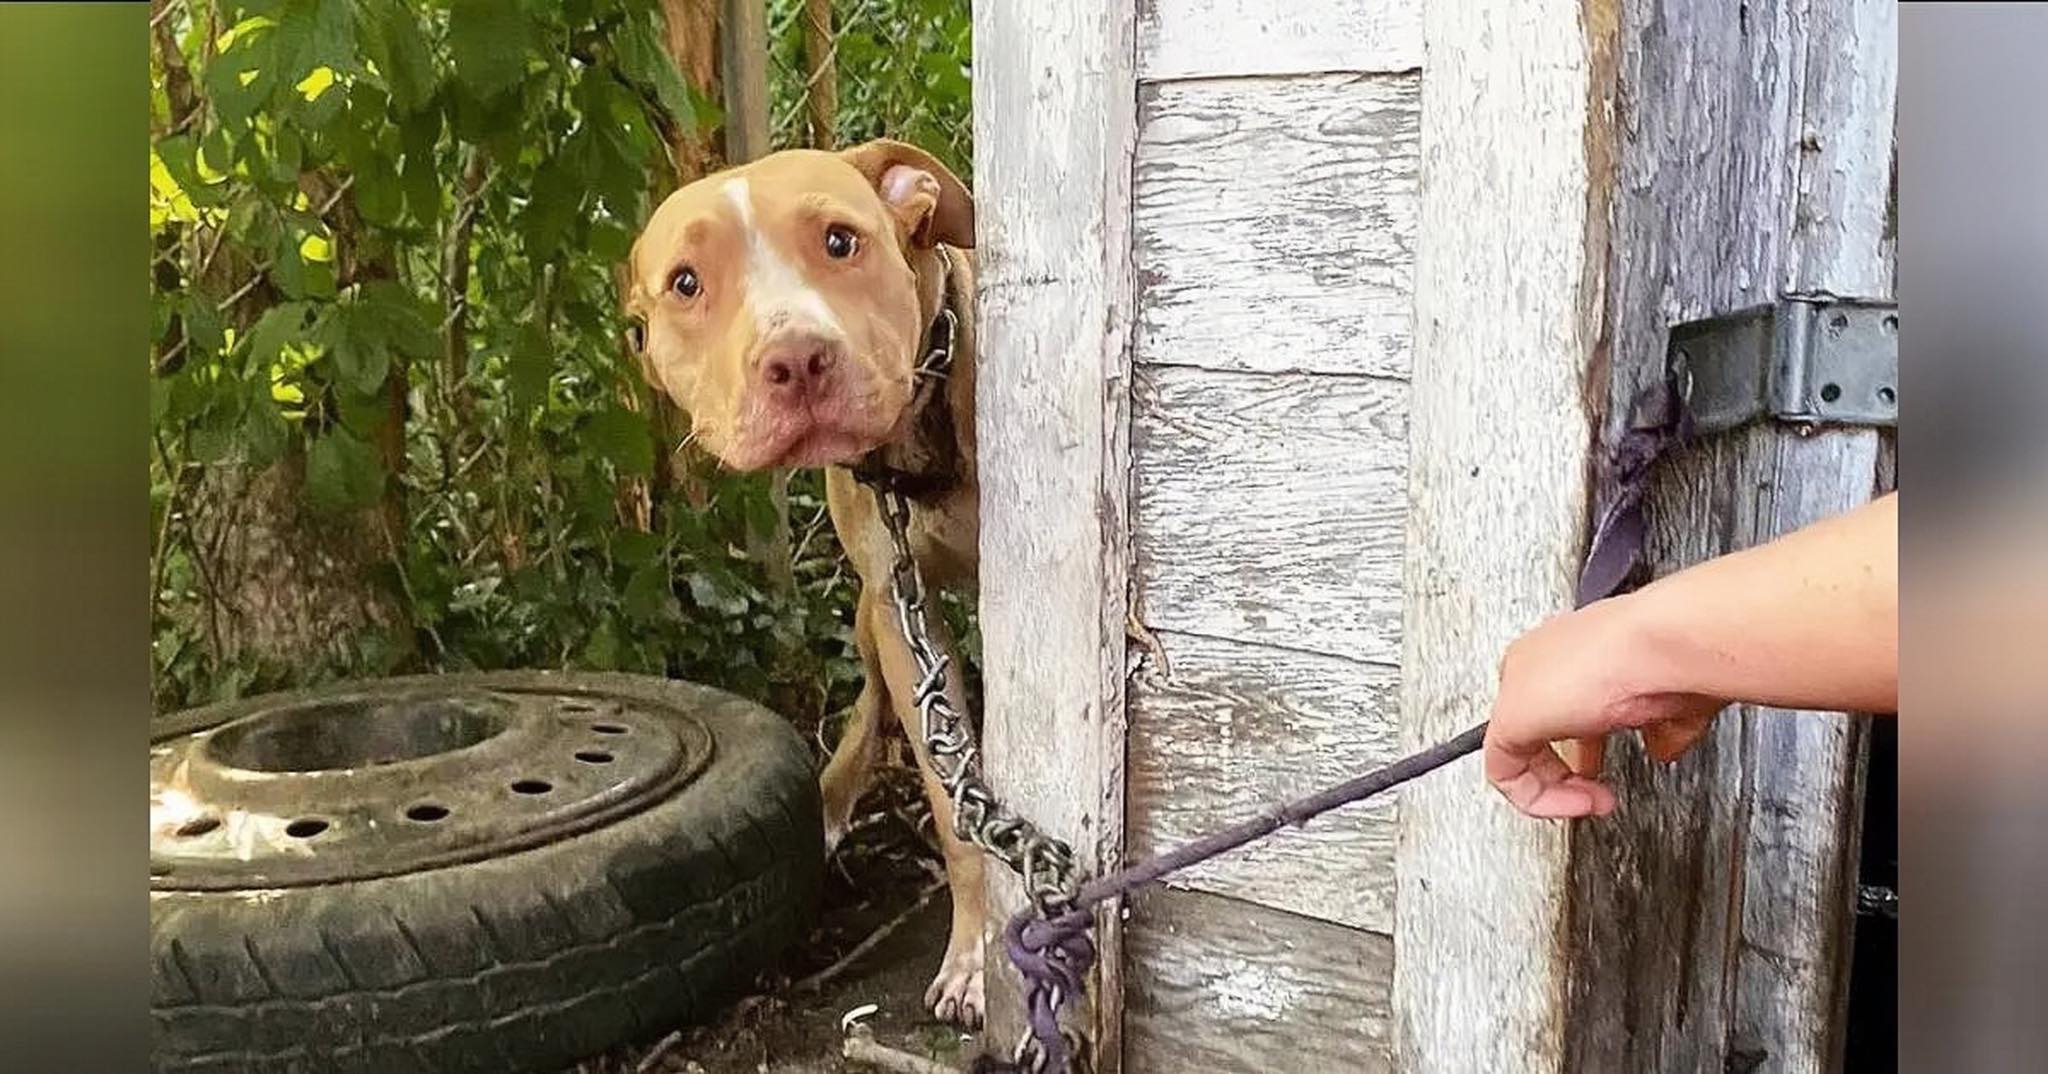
[{"x": 787, "y": 306}]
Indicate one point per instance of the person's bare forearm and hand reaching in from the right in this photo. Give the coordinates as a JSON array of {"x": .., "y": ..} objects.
[{"x": 1805, "y": 622}]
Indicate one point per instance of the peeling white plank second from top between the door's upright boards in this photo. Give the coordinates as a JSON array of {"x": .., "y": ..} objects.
[{"x": 1277, "y": 224}]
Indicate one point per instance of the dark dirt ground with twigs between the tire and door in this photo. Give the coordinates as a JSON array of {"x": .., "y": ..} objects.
[{"x": 884, "y": 891}]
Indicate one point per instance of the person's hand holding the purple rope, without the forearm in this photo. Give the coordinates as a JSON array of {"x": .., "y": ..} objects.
[{"x": 1582, "y": 677}]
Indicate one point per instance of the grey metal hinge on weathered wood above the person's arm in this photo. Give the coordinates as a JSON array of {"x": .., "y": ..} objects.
[{"x": 1809, "y": 360}]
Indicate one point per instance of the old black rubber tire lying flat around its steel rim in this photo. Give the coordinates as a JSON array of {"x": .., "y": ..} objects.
[{"x": 519, "y": 956}]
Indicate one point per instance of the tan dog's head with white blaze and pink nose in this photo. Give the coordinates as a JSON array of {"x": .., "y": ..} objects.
[{"x": 785, "y": 302}]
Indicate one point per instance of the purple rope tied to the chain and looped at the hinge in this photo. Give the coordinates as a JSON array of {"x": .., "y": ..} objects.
[{"x": 1056, "y": 954}]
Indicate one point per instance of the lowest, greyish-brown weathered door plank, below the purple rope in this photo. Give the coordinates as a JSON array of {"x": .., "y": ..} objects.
[{"x": 1230, "y": 987}]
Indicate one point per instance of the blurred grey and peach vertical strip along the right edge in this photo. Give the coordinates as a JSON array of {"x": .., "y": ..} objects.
[{"x": 1973, "y": 288}]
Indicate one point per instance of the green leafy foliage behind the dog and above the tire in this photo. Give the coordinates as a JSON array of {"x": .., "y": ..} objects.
[{"x": 394, "y": 425}]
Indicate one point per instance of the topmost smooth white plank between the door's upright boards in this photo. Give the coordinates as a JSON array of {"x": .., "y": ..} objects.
[{"x": 1263, "y": 38}]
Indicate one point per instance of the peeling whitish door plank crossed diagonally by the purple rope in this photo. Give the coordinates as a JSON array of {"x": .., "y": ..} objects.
[{"x": 1238, "y": 729}]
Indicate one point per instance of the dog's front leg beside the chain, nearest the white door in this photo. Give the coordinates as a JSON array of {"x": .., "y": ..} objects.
[{"x": 957, "y": 991}]
